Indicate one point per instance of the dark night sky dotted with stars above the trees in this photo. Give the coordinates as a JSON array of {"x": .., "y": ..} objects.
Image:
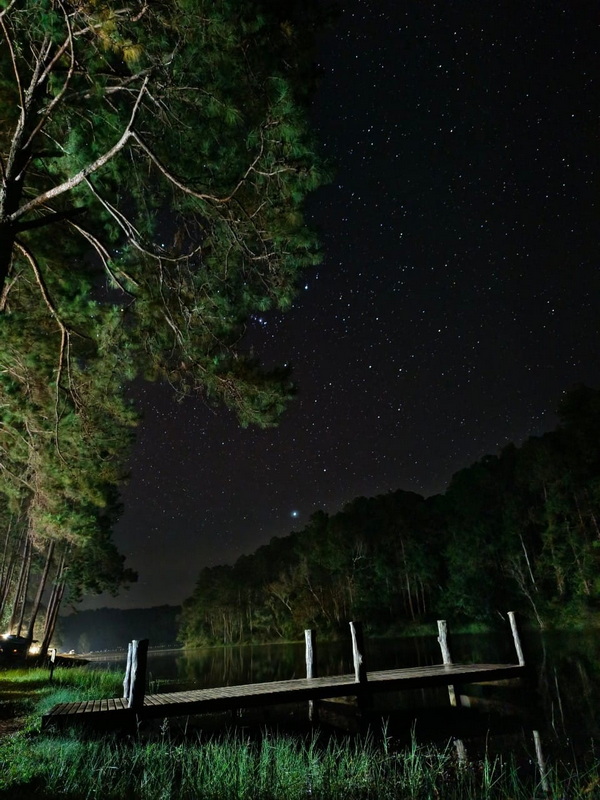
[{"x": 457, "y": 300}]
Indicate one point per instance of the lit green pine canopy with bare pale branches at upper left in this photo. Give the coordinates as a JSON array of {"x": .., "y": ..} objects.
[{"x": 154, "y": 160}]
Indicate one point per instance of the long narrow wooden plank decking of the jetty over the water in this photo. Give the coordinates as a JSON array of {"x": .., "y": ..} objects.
[{"x": 114, "y": 712}]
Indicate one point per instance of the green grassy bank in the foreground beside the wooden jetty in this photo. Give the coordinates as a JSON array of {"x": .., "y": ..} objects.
[{"x": 233, "y": 765}]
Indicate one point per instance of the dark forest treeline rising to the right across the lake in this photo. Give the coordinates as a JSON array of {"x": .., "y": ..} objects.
[{"x": 518, "y": 530}]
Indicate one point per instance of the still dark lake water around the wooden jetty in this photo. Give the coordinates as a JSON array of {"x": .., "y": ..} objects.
[{"x": 560, "y": 698}]
